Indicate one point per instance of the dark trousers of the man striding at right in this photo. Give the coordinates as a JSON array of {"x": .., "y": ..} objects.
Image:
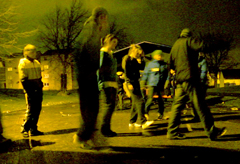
[{"x": 183, "y": 93}]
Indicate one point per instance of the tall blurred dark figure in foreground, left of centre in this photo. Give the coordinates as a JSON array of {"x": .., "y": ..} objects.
[{"x": 87, "y": 57}]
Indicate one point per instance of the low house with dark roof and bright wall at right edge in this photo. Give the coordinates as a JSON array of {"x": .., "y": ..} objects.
[{"x": 225, "y": 78}]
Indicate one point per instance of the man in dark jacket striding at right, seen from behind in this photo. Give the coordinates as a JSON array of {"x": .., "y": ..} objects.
[{"x": 184, "y": 60}]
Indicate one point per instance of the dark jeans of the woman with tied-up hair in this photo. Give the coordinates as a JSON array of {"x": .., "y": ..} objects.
[{"x": 108, "y": 101}]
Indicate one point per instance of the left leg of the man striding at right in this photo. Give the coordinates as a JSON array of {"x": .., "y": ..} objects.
[{"x": 178, "y": 105}]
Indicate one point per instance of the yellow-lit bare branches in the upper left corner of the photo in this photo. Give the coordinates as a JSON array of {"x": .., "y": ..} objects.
[{"x": 9, "y": 30}]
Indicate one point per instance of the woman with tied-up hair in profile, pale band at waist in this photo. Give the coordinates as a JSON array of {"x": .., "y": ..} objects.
[{"x": 107, "y": 82}]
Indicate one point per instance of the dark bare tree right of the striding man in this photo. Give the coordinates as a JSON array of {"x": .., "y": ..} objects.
[{"x": 216, "y": 48}]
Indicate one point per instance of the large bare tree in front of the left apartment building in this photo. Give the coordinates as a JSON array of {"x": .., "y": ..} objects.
[{"x": 60, "y": 31}]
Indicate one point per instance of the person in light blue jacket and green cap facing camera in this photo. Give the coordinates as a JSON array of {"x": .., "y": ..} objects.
[{"x": 155, "y": 75}]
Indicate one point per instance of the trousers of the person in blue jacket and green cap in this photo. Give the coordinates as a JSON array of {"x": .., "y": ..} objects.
[{"x": 151, "y": 91}]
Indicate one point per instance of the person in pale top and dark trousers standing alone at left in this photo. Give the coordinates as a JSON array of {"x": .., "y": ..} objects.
[{"x": 30, "y": 76}]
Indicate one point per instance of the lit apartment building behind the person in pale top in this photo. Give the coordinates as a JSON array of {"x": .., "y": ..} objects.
[{"x": 51, "y": 68}]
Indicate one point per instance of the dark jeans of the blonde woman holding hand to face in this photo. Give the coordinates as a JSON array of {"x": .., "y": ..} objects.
[{"x": 138, "y": 105}]
